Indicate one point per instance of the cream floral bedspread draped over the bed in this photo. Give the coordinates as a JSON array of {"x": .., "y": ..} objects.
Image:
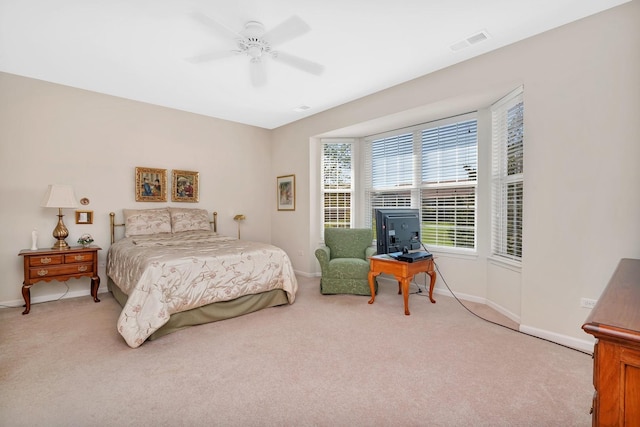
[{"x": 168, "y": 273}]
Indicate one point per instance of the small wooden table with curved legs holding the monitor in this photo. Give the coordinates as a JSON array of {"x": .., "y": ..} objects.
[{"x": 403, "y": 272}]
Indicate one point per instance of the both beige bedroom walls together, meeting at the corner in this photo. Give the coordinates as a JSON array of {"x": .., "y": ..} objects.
[{"x": 582, "y": 103}]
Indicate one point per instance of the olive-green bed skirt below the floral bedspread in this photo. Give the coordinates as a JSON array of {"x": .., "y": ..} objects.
[{"x": 211, "y": 312}]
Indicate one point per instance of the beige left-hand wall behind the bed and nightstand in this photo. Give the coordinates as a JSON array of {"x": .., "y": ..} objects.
[{"x": 55, "y": 134}]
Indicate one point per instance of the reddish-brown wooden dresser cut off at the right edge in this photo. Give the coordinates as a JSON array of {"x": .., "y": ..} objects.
[{"x": 615, "y": 323}]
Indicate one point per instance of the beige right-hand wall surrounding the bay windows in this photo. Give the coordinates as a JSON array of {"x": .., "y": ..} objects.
[{"x": 582, "y": 204}]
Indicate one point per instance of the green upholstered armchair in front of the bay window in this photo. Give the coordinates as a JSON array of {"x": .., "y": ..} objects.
[{"x": 344, "y": 261}]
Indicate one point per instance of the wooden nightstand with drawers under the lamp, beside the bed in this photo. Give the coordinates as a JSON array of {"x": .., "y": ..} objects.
[{"x": 60, "y": 265}]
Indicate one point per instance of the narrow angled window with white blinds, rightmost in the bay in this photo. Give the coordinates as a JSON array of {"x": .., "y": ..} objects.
[{"x": 507, "y": 175}]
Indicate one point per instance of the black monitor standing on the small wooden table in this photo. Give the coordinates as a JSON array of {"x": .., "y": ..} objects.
[{"x": 397, "y": 230}]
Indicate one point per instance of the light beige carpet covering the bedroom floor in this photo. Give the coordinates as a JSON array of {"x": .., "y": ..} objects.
[{"x": 323, "y": 361}]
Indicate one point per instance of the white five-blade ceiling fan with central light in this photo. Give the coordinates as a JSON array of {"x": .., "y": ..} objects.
[{"x": 258, "y": 44}]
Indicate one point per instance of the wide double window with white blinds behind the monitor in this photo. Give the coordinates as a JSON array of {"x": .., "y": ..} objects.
[{"x": 432, "y": 167}]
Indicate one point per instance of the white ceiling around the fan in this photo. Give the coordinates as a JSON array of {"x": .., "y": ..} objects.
[{"x": 138, "y": 49}]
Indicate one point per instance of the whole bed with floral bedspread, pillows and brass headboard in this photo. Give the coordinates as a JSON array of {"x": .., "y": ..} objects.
[{"x": 172, "y": 270}]
